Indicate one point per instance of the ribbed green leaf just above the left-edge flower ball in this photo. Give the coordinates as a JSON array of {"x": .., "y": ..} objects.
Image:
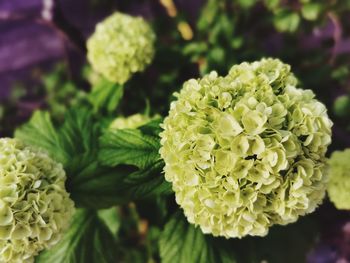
[{"x": 40, "y": 132}]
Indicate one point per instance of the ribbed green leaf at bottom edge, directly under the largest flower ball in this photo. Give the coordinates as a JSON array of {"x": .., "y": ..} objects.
[{"x": 183, "y": 242}]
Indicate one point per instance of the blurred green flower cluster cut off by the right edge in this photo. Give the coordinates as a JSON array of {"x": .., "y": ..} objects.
[{"x": 339, "y": 182}]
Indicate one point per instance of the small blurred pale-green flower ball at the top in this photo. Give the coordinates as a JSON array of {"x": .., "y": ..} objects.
[{"x": 120, "y": 46}]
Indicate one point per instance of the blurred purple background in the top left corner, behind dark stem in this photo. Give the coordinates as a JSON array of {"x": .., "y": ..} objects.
[{"x": 29, "y": 38}]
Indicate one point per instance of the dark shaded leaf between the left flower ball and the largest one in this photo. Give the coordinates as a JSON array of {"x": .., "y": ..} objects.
[{"x": 119, "y": 185}]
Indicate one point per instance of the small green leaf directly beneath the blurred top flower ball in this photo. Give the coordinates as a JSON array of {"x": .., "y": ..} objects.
[{"x": 105, "y": 96}]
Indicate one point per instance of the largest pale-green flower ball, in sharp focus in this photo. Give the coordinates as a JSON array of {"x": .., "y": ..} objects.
[{"x": 246, "y": 151}]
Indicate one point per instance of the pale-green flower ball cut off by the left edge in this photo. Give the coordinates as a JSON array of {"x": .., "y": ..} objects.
[{"x": 35, "y": 207}]
